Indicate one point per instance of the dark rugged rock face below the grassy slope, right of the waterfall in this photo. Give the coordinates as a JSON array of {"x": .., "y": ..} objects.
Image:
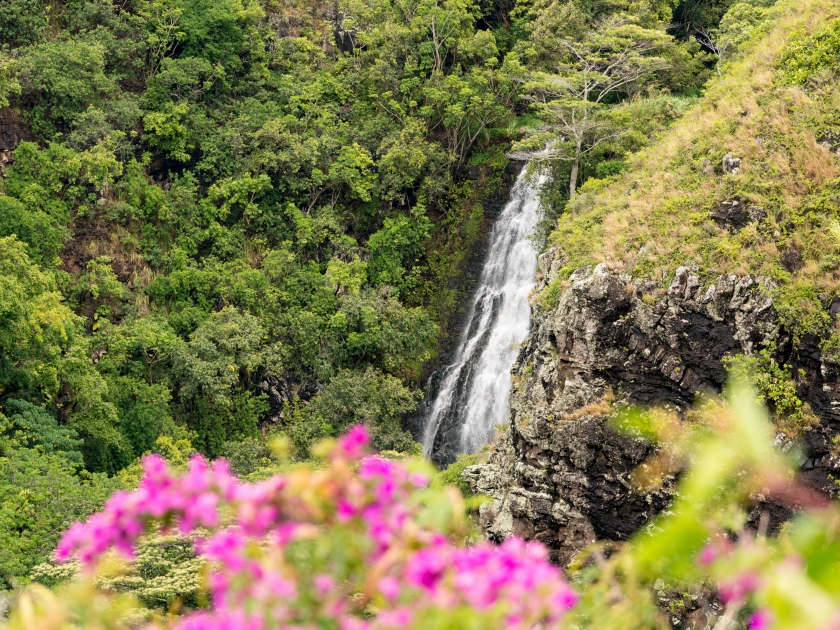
[{"x": 558, "y": 474}]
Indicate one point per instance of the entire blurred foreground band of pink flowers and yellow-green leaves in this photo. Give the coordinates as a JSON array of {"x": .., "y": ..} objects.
[{"x": 362, "y": 543}]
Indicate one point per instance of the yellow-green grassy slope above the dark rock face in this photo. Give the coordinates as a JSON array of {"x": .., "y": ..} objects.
[{"x": 661, "y": 205}]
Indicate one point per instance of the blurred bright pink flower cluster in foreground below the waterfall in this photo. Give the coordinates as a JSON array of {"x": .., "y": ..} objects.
[{"x": 357, "y": 544}]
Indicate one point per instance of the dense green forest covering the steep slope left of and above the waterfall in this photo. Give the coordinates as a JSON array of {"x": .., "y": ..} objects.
[{"x": 224, "y": 221}]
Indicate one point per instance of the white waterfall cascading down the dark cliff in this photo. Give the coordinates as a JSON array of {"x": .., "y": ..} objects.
[{"x": 474, "y": 389}]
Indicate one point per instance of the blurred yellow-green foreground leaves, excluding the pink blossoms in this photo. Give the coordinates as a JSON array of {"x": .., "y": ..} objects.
[{"x": 701, "y": 554}]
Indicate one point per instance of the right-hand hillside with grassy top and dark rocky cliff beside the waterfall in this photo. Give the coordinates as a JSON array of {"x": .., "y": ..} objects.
[{"x": 715, "y": 252}]
